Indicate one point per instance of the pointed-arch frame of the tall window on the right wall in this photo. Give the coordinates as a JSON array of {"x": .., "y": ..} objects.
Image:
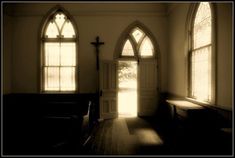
[{"x": 190, "y": 38}]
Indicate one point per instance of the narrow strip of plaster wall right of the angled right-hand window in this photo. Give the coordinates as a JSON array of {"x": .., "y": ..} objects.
[{"x": 225, "y": 57}]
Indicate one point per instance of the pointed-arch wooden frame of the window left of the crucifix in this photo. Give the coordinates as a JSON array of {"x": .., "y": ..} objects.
[{"x": 59, "y": 39}]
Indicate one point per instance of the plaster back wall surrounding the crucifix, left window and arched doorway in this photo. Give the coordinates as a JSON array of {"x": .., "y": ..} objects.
[{"x": 106, "y": 20}]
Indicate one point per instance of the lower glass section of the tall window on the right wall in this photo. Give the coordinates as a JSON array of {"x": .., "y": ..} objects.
[{"x": 201, "y": 74}]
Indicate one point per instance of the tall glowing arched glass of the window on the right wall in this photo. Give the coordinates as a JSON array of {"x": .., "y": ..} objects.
[{"x": 201, "y": 56}]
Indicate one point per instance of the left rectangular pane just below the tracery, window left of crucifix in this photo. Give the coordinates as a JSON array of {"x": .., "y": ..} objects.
[{"x": 52, "y": 54}]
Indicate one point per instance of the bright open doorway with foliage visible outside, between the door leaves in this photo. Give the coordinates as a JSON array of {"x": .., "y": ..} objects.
[{"x": 127, "y": 89}]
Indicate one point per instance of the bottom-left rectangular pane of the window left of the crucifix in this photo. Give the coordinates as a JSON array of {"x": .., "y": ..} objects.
[{"x": 51, "y": 78}]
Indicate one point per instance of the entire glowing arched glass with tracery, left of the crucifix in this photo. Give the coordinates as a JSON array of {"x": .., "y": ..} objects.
[{"x": 59, "y": 54}]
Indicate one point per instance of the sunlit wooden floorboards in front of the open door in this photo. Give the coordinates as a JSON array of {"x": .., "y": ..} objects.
[{"x": 123, "y": 136}]
